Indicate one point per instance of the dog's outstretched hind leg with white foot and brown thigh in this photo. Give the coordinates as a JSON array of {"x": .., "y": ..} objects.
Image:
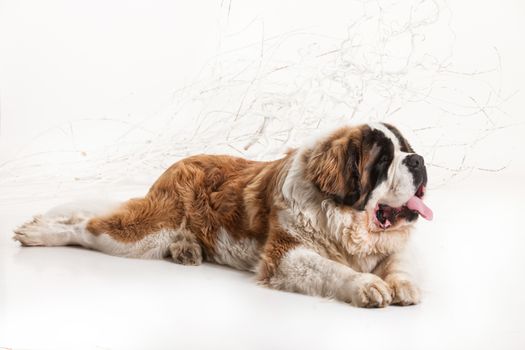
[{"x": 140, "y": 228}]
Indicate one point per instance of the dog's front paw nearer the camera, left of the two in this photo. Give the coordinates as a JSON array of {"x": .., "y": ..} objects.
[{"x": 369, "y": 290}]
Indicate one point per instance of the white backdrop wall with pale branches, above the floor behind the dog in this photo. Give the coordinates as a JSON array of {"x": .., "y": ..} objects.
[{"x": 109, "y": 91}]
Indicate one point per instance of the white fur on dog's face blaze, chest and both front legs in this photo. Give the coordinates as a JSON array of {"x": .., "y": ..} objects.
[{"x": 338, "y": 246}]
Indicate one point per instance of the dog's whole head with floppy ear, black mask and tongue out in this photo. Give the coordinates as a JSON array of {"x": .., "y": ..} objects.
[{"x": 372, "y": 168}]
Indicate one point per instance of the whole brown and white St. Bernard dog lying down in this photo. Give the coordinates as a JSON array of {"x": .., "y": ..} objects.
[{"x": 328, "y": 219}]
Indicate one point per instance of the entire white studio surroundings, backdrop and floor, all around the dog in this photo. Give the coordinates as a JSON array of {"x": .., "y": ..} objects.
[{"x": 98, "y": 97}]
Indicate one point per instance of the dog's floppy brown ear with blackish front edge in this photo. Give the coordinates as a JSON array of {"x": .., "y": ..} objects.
[{"x": 333, "y": 168}]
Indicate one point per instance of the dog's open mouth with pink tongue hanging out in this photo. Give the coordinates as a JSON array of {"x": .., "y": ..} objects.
[{"x": 386, "y": 216}]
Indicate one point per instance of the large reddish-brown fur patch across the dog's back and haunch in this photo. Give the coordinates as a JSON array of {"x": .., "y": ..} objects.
[{"x": 203, "y": 193}]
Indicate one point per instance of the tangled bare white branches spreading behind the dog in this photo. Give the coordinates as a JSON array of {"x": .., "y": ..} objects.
[{"x": 259, "y": 100}]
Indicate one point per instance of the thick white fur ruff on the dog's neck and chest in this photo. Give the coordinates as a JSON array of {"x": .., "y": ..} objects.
[{"x": 328, "y": 227}]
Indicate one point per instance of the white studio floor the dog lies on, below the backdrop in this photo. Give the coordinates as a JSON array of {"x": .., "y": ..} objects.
[{"x": 469, "y": 261}]
